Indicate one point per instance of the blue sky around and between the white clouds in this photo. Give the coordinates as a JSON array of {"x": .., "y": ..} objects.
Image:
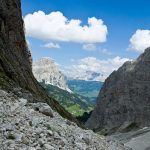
[{"x": 122, "y": 18}]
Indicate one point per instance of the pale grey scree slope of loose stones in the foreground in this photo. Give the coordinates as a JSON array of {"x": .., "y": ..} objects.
[{"x": 35, "y": 126}]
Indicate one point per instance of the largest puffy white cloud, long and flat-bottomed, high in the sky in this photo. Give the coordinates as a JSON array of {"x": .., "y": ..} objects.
[{"x": 56, "y": 27}]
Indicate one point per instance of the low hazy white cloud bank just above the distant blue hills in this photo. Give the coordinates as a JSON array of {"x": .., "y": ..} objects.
[{"x": 91, "y": 68}]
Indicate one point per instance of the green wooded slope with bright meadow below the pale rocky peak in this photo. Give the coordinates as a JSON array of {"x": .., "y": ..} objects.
[{"x": 74, "y": 103}]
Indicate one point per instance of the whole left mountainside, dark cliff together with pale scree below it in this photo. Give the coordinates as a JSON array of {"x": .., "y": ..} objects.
[{"x": 29, "y": 118}]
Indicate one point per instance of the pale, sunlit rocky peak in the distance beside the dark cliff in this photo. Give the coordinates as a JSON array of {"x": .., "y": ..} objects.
[{"x": 46, "y": 70}]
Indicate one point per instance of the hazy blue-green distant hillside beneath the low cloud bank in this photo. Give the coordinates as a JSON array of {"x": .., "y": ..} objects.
[{"x": 89, "y": 89}]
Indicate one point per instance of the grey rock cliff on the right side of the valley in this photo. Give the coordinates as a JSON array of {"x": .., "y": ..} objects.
[{"x": 124, "y": 99}]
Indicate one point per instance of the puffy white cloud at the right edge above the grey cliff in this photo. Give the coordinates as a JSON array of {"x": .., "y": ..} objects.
[{"x": 140, "y": 40}]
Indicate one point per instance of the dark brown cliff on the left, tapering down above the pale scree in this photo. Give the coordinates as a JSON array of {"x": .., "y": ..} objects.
[{"x": 15, "y": 58}]
